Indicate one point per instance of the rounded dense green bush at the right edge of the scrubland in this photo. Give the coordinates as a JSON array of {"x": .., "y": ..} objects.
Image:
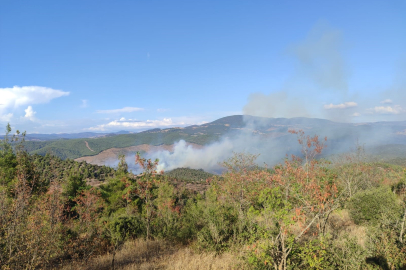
[{"x": 371, "y": 206}]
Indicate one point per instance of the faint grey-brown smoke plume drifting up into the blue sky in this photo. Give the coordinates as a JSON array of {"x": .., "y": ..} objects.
[{"x": 321, "y": 74}]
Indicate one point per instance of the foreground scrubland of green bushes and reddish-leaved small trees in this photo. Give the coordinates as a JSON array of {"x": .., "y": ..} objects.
[{"x": 305, "y": 213}]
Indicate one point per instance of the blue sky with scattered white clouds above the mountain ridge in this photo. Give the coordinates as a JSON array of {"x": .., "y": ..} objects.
[{"x": 73, "y": 66}]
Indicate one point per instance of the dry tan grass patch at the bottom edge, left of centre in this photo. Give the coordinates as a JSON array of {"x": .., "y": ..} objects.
[{"x": 142, "y": 255}]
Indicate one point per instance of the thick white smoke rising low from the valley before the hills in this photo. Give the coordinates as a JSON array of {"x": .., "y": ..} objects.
[{"x": 210, "y": 157}]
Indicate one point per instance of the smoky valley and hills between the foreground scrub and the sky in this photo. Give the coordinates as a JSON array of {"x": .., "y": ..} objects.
[{"x": 206, "y": 146}]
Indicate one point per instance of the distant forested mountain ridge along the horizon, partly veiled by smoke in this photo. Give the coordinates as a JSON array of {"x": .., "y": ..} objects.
[{"x": 268, "y": 128}]
